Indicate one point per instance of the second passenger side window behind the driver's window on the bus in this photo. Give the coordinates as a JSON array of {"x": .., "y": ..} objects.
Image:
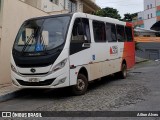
[{"x": 111, "y": 32}]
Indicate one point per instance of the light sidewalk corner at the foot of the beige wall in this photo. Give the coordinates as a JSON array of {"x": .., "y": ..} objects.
[{"x": 7, "y": 91}]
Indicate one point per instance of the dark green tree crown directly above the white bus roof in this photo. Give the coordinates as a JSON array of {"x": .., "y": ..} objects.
[{"x": 108, "y": 12}]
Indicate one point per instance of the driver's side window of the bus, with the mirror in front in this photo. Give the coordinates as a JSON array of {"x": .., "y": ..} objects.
[{"x": 81, "y": 32}]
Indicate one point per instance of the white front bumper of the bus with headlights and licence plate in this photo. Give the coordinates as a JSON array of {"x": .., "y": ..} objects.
[{"x": 46, "y": 81}]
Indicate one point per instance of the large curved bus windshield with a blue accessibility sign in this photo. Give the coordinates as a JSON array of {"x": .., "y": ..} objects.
[{"x": 41, "y": 34}]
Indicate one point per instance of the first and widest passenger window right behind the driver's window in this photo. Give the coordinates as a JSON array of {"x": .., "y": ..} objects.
[{"x": 99, "y": 31}]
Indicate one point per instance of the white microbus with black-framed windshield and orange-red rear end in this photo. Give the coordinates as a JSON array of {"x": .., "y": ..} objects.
[{"x": 71, "y": 50}]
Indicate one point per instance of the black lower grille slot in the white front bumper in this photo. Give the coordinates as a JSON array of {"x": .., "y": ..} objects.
[{"x": 42, "y": 83}]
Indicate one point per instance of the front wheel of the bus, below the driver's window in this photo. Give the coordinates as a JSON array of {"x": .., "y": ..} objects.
[{"x": 81, "y": 87}]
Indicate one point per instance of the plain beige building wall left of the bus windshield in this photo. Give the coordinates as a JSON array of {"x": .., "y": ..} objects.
[{"x": 14, "y": 13}]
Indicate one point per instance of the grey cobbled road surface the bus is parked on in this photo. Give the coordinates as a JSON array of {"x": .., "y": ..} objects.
[{"x": 139, "y": 92}]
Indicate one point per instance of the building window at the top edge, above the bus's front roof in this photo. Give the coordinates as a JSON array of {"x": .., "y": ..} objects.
[{"x": 72, "y": 6}]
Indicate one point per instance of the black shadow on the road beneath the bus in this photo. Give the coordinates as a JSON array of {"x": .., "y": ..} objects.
[{"x": 61, "y": 92}]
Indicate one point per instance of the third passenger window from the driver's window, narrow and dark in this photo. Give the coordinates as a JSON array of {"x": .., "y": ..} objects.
[{"x": 120, "y": 33}]
